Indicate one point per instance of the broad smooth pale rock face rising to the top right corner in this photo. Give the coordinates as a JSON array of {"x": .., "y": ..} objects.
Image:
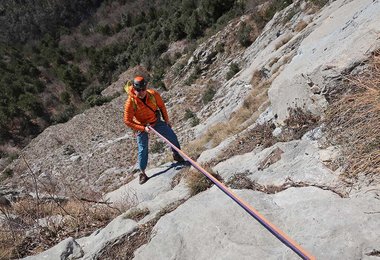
[{"x": 335, "y": 44}]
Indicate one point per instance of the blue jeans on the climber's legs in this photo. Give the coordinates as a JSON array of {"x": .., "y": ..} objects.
[{"x": 143, "y": 138}]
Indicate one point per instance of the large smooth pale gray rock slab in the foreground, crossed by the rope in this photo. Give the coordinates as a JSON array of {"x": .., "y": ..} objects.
[{"x": 212, "y": 226}]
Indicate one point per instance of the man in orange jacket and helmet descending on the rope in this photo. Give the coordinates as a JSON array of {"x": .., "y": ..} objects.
[{"x": 142, "y": 109}]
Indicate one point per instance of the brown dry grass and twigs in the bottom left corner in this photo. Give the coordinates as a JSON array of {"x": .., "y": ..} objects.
[{"x": 26, "y": 235}]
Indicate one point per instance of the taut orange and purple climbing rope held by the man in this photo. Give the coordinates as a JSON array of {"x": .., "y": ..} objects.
[{"x": 253, "y": 212}]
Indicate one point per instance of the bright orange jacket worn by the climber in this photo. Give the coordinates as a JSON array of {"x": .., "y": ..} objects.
[{"x": 137, "y": 115}]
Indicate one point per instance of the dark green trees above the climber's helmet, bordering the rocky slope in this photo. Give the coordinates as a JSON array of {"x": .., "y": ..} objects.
[{"x": 151, "y": 31}]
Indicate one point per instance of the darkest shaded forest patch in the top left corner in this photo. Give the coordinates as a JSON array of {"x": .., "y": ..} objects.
[{"x": 30, "y": 20}]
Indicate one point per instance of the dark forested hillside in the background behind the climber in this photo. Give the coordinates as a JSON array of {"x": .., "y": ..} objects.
[{"x": 57, "y": 56}]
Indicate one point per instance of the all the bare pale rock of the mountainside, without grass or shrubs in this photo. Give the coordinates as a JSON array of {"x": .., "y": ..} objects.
[{"x": 289, "y": 182}]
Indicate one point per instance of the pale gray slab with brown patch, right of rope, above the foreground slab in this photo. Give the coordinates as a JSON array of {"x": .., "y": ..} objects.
[{"x": 300, "y": 162}]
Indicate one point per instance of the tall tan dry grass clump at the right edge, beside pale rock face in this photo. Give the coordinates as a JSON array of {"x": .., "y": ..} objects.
[{"x": 353, "y": 122}]
